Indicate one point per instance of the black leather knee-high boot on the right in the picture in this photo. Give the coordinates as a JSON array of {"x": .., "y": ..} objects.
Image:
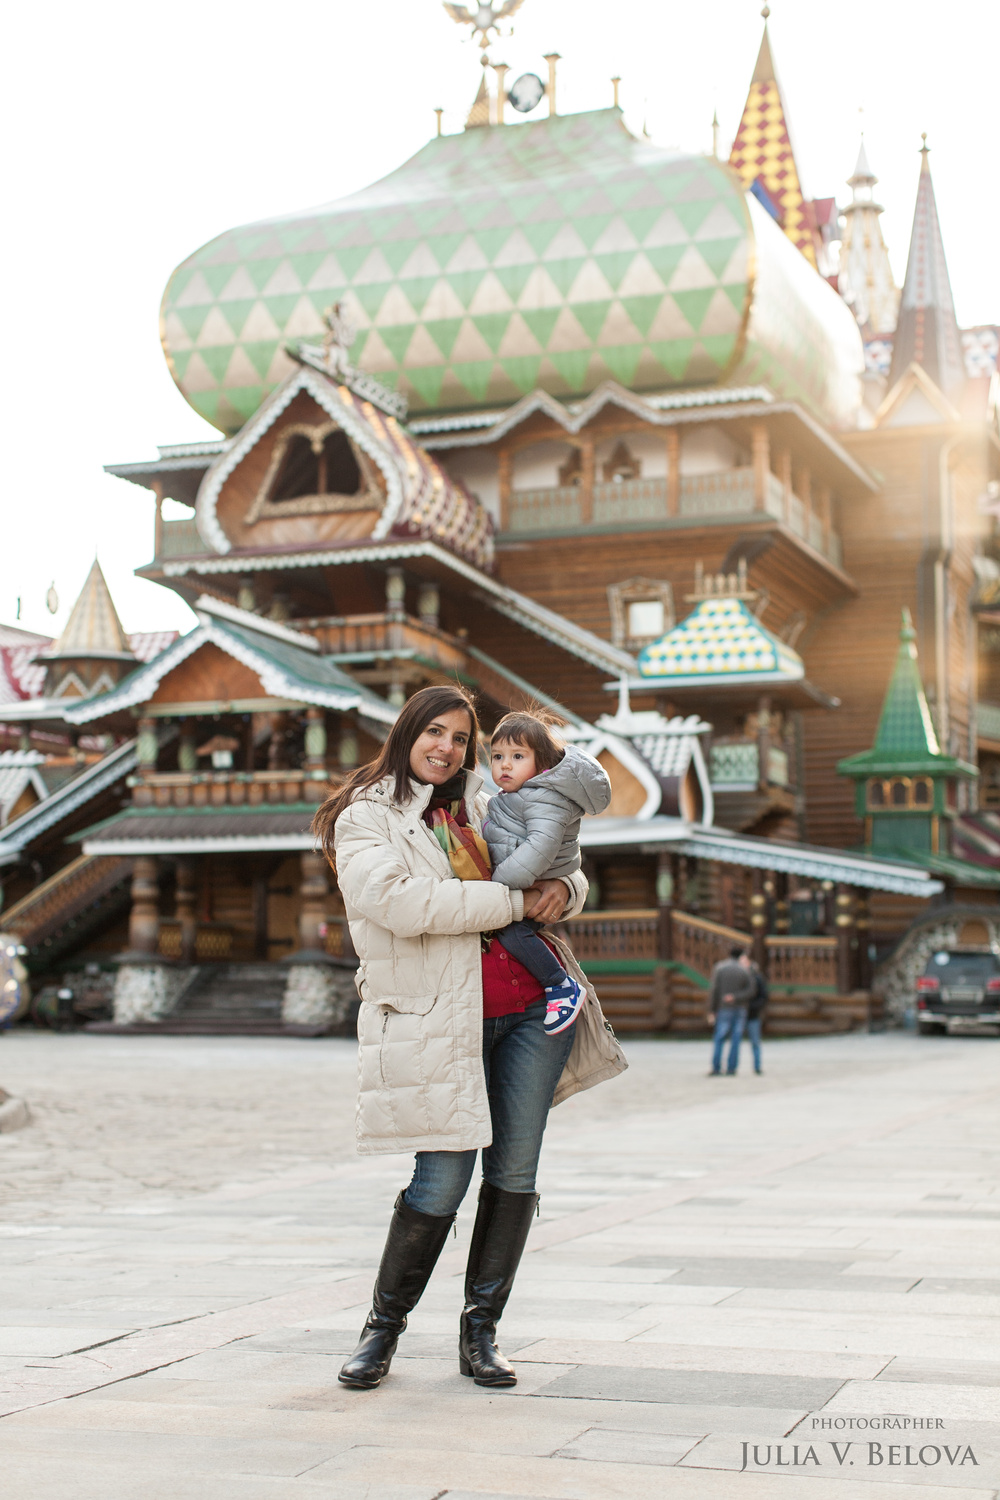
[{"x": 499, "y": 1241}]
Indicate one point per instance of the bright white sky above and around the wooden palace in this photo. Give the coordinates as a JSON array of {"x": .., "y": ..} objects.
[{"x": 142, "y": 131}]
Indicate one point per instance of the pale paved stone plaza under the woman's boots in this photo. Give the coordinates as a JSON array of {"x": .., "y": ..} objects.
[{"x": 190, "y": 1244}]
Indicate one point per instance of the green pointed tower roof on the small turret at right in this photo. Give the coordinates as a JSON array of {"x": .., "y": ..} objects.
[{"x": 906, "y": 742}]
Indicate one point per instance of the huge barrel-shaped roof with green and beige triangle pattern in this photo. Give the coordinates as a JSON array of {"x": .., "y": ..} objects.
[{"x": 549, "y": 256}]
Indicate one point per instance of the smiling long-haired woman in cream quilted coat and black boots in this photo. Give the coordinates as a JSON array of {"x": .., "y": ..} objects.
[{"x": 454, "y": 1057}]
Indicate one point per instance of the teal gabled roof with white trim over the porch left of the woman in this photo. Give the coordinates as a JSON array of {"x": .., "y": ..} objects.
[{"x": 289, "y": 668}]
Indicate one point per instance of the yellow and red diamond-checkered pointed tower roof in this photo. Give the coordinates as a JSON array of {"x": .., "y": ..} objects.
[{"x": 764, "y": 158}]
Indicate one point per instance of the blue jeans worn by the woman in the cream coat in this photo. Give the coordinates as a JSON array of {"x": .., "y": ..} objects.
[{"x": 522, "y": 1069}]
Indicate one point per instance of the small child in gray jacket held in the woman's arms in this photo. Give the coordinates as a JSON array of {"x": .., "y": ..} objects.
[{"x": 533, "y": 832}]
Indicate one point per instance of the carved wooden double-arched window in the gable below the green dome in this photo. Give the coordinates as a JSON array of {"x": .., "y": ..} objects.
[{"x": 317, "y": 470}]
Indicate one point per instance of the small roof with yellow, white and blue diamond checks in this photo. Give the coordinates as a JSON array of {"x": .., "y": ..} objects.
[{"x": 720, "y": 643}]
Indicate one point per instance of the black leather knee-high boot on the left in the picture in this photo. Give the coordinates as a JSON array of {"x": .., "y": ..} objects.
[{"x": 412, "y": 1253}]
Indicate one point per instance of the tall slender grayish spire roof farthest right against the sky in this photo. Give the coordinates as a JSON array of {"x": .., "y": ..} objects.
[{"x": 927, "y": 332}]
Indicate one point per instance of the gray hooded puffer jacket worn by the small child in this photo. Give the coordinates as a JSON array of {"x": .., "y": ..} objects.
[{"x": 534, "y": 835}]
